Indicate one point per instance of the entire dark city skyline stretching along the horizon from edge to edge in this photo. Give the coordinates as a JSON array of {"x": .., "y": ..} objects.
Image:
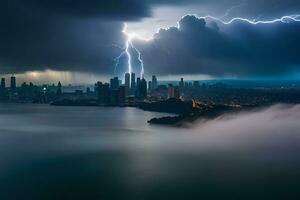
[{"x": 134, "y": 90}]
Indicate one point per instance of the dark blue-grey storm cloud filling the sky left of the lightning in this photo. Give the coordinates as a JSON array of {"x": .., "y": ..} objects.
[{"x": 33, "y": 38}]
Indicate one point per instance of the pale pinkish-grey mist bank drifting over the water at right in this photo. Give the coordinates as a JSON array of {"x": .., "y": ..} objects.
[{"x": 273, "y": 127}]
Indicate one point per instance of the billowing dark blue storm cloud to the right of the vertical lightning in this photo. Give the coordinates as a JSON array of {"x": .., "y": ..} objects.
[{"x": 207, "y": 47}]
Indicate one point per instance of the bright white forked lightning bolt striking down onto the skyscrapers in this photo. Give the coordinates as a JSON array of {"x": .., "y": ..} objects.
[{"x": 126, "y": 51}]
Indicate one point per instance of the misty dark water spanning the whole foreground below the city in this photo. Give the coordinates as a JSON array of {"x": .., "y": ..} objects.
[{"x": 112, "y": 153}]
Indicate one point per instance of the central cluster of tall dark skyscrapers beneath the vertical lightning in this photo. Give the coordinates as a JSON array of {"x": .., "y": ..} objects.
[{"x": 133, "y": 90}]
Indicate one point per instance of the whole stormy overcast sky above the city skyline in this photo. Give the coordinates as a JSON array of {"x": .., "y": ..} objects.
[{"x": 85, "y": 37}]
